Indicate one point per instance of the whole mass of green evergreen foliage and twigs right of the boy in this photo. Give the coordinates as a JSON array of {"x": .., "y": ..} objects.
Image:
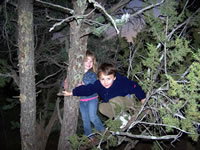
[{"x": 169, "y": 69}]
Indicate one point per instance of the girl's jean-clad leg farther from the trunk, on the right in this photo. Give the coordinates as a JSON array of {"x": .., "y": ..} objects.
[{"x": 92, "y": 106}]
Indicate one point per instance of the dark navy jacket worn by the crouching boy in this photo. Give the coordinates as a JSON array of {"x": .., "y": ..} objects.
[{"x": 121, "y": 86}]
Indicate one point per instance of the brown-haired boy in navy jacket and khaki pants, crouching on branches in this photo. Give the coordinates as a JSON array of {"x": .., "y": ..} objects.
[{"x": 112, "y": 88}]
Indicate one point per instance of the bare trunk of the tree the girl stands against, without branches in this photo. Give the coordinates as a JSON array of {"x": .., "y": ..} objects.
[{"x": 78, "y": 47}]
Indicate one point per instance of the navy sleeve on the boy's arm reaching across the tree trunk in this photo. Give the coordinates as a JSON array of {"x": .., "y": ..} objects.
[{"x": 84, "y": 90}]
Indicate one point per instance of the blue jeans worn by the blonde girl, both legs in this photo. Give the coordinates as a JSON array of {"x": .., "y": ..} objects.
[{"x": 88, "y": 111}]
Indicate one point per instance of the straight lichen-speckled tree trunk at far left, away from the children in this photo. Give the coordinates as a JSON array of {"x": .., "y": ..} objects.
[{"x": 27, "y": 75}]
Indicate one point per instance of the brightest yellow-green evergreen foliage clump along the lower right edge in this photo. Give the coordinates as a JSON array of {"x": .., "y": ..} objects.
[{"x": 188, "y": 94}]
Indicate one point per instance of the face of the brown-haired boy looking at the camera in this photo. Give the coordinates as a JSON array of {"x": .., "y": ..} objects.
[{"x": 107, "y": 80}]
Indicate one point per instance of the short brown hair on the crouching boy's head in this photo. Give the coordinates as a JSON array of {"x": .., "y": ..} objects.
[{"x": 106, "y": 69}]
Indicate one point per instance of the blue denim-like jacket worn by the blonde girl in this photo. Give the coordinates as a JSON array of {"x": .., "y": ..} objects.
[{"x": 89, "y": 78}]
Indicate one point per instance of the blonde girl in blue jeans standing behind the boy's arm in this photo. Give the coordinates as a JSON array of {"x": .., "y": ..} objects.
[{"x": 88, "y": 103}]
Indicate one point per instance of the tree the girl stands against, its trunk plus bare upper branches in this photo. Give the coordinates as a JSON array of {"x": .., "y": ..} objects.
[{"x": 78, "y": 46}]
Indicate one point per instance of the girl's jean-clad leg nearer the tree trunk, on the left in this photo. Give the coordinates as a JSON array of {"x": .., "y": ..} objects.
[{"x": 85, "y": 118}]
